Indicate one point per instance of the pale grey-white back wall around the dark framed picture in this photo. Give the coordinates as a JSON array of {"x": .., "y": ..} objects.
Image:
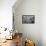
[{"x": 30, "y": 31}]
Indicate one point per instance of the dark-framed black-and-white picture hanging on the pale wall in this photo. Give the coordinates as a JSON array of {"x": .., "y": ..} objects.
[{"x": 28, "y": 19}]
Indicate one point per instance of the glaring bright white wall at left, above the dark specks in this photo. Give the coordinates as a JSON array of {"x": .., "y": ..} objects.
[{"x": 6, "y": 13}]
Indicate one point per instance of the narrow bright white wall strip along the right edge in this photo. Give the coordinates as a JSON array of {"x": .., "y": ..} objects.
[{"x": 43, "y": 22}]
